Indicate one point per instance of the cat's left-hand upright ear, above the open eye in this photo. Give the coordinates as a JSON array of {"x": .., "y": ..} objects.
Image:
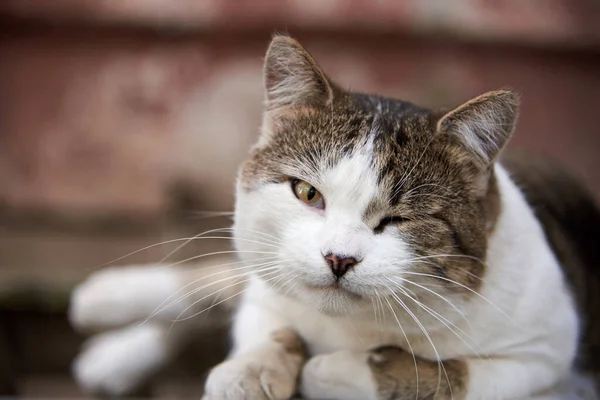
[{"x": 292, "y": 76}]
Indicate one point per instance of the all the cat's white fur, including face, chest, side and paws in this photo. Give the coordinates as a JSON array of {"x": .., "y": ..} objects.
[{"x": 523, "y": 323}]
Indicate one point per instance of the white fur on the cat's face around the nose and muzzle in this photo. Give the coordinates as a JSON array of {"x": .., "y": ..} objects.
[{"x": 308, "y": 234}]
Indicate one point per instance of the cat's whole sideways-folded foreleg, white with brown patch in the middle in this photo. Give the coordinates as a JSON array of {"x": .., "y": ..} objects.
[{"x": 389, "y": 373}]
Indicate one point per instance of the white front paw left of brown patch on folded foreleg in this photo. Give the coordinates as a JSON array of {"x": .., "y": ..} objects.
[{"x": 343, "y": 375}]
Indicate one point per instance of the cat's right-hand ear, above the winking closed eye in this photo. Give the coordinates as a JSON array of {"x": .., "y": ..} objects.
[{"x": 483, "y": 125}]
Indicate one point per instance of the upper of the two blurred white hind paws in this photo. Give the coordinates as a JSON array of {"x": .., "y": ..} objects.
[{"x": 115, "y": 297}]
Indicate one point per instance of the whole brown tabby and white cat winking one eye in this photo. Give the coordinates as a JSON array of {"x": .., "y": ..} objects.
[{"x": 385, "y": 251}]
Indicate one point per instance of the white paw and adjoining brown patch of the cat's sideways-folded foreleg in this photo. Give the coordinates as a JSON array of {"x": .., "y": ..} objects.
[{"x": 384, "y": 373}]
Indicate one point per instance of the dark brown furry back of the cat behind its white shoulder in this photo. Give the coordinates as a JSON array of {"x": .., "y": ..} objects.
[{"x": 570, "y": 217}]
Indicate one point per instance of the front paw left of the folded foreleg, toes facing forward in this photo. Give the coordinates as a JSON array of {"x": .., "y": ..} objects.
[{"x": 239, "y": 379}]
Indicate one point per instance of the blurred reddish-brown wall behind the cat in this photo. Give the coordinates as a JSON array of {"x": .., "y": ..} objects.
[{"x": 107, "y": 105}]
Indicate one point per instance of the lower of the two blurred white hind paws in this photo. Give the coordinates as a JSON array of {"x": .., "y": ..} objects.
[{"x": 116, "y": 363}]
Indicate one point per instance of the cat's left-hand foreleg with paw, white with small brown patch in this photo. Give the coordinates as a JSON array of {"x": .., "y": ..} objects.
[{"x": 265, "y": 363}]
